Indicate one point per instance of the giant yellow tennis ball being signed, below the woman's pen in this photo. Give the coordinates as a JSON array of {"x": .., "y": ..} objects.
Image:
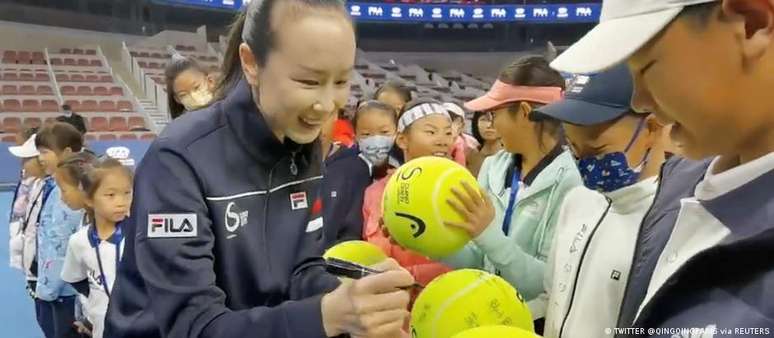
[{"x": 465, "y": 299}]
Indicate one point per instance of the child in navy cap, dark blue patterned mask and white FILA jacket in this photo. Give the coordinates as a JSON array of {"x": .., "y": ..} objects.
[{"x": 598, "y": 223}]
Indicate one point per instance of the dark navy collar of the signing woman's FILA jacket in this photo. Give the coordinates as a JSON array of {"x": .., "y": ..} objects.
[{"x": 254, "y": 134}]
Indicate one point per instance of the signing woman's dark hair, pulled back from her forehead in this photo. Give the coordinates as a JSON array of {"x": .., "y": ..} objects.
[{"x": 253, "y": 26}]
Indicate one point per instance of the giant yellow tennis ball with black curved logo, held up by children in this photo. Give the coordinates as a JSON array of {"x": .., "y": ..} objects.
[{"x": 415, "y": 206}]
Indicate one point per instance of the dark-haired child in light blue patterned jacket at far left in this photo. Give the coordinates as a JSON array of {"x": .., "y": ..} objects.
[{"x": 55, "y": 298}]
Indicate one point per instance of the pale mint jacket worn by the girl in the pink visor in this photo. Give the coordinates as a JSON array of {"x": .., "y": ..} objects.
[{"x": 520, "y": 257}]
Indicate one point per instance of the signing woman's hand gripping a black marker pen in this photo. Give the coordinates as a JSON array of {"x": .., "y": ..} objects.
[{"x": 374, "y": 306}]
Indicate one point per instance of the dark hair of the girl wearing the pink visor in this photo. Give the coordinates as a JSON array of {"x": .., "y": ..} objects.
[{"x": 535, "y": 71}]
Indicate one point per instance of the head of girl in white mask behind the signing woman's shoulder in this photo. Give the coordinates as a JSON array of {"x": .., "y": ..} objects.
[{"x": 189, "y": 87}]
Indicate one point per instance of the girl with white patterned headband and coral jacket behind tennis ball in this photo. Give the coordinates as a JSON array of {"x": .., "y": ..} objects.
[{"x": 424, "y": 129}]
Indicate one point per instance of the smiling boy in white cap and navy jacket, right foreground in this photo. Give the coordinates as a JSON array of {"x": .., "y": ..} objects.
[{"x": 703, "y": 255}]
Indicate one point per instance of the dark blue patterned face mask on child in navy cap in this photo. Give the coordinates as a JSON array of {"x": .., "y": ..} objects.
[{"x": 610, "y": 172}]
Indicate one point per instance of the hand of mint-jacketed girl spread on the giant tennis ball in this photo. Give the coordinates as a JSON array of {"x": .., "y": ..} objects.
[{"x": 475, "y": 207}]
